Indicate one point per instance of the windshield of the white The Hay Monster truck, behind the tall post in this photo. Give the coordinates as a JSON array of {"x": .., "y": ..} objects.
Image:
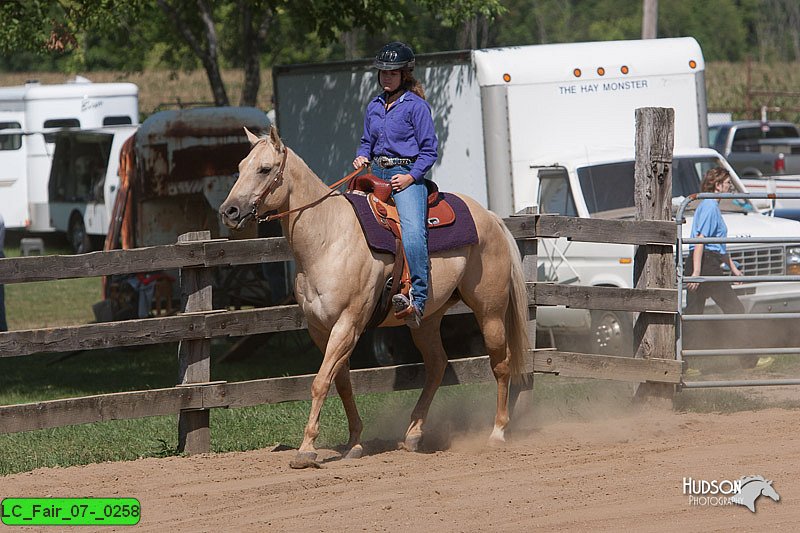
[{"x": 611, "y": 186}]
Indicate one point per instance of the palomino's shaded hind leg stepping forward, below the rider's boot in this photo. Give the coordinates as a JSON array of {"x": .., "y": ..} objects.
[{"x": 428, "y": 340}]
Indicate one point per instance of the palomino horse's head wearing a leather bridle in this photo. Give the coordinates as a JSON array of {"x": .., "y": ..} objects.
[{"x": 259, "y": 186}]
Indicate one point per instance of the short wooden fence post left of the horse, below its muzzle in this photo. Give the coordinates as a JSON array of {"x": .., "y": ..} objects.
[{"x": 194, "y": 356}]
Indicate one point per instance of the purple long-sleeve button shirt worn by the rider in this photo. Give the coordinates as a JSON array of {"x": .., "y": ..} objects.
[{"x": 406, "y": 130}]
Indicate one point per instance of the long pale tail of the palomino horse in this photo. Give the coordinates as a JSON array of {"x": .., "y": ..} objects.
[{"x": 517, "y": 310}]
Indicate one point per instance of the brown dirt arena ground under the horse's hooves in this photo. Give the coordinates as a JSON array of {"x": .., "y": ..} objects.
[{"x": 612, "y": 474}]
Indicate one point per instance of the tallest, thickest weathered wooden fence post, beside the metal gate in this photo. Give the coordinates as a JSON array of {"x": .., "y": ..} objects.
[{"x": 654, "y": 265}]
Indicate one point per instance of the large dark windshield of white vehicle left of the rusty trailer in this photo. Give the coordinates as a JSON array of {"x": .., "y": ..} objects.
[{"x": 79, "y": 166}]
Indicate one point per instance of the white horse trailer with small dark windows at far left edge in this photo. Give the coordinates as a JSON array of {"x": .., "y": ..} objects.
[{"x": 30, "y": 116}]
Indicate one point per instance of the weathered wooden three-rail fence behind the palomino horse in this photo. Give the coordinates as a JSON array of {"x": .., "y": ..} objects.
[{"x": 193, "y": 328}]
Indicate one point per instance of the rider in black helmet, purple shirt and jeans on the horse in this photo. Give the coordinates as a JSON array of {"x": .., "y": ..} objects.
[{"x": 400, "y": 140}]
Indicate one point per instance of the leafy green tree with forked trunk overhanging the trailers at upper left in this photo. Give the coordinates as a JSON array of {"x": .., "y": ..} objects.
[{"x": 250, "y": 27}]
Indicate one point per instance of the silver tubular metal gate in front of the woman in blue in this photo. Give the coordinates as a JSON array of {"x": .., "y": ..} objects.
[{"x": 765, "y": 263}]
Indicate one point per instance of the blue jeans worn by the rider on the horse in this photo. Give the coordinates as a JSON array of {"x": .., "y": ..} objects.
[{"x": 412, "y": 206}]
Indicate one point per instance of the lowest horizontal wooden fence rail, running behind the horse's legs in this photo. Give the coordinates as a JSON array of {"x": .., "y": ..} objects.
[{"x": 156, "y": 402}]
